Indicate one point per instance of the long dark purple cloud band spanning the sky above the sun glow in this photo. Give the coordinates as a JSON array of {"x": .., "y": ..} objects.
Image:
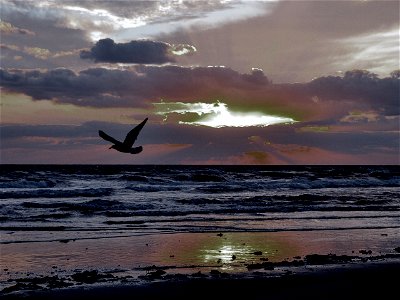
[{"x": 140, "y": 86}]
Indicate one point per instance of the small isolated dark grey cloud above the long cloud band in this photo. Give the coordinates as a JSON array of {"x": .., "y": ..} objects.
[{"x": 138, "y": 52}]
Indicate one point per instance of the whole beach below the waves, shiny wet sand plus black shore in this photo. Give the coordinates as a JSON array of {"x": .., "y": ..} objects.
[{"x": 350, "y": 264}]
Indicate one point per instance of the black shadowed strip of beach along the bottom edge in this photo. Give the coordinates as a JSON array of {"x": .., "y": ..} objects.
[{"x": 349, "y": 281}]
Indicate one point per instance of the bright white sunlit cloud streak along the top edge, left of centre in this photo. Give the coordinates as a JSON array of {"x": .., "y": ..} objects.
[{"x": 100, "y": 19}]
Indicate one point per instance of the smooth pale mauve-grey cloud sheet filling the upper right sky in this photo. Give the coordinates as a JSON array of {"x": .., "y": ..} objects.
[{"x": 301, "y": 39}]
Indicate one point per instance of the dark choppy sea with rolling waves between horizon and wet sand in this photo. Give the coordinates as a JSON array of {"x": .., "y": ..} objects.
[{"x": 45, "y": 203}]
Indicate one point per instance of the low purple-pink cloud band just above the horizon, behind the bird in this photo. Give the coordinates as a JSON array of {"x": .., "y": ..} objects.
[{"x": 172, "y": 143}]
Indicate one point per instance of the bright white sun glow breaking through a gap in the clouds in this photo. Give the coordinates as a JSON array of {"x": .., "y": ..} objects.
[{"x": 218, "y": 115}]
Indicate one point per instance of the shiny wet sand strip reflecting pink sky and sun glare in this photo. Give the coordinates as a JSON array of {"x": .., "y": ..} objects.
[{"x": 189, "y": 252}]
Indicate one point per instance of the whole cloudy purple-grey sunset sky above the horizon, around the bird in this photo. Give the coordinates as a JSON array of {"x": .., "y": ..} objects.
[{"x": 222, "y": 82}]
